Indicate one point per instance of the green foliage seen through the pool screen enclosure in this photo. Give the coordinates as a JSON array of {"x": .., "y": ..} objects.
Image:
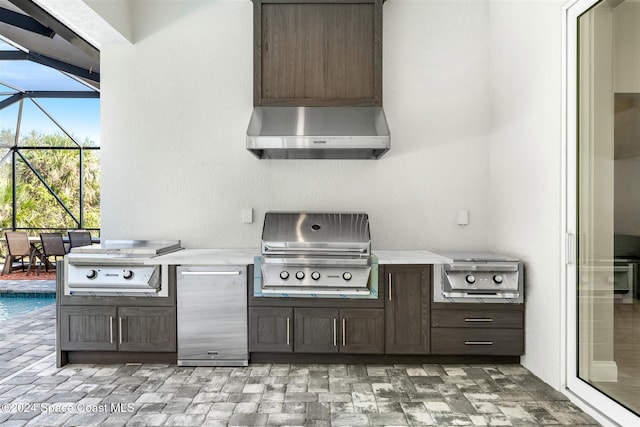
[{"x": 60, "y": 169}]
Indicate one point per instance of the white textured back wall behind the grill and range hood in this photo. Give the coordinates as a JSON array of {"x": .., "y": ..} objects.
[{"x": 176, "y": 104}]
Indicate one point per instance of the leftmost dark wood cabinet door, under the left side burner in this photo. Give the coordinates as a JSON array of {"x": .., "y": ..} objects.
[{"x": 87, "y": 328}]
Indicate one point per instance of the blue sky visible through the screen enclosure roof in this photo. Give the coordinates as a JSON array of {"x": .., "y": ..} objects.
[{"x": 79, "y": 117}]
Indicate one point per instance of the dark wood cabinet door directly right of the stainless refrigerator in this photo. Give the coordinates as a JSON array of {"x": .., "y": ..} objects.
[{"x": 270, "y": 329}]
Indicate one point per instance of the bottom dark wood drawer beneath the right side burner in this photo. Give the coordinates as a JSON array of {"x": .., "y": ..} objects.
[{"x": 473, "y": 341}]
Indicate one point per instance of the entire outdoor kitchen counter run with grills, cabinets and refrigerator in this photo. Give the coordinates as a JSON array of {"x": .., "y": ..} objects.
[{"x": 341, "y": 299}]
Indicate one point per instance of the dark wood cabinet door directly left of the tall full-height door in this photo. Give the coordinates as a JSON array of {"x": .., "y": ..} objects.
[{"x": 362, "y": 331}]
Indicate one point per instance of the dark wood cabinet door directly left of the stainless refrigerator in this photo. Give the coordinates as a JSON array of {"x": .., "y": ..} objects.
[{"x": 147, "y": 329}]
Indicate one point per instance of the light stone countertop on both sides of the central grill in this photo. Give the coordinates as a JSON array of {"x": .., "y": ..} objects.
[{"x": 244, "y": 256}]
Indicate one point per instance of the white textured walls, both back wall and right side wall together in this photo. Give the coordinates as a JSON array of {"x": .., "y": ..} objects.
[{"x": 472, "y": 94}]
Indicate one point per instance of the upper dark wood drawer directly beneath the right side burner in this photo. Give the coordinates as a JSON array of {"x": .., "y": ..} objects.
[{"x": 477, "y": 319}]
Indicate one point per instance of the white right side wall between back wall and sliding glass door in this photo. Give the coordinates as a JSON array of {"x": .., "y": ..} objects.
[{"x": 524, "y": 164}]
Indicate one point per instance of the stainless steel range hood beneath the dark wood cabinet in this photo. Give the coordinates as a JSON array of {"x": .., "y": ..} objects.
[{"x": 318, "y": 133}]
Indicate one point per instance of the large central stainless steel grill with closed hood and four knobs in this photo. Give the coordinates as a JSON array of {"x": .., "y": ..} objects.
[{"x": 307, "y": 254}]
